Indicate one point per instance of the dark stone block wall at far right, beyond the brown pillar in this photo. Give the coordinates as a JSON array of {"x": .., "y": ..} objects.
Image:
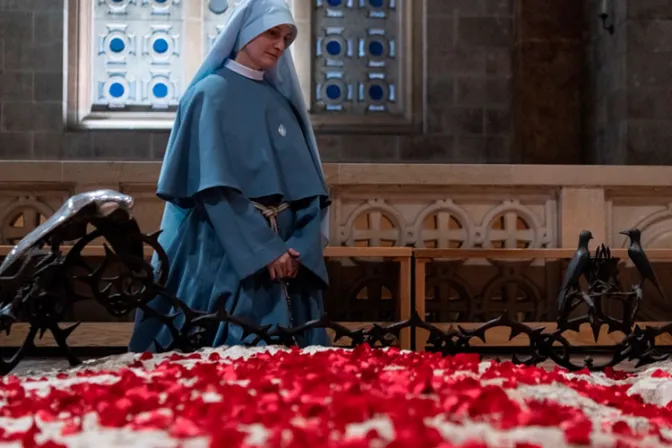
[{"x": 630, "y": 80}]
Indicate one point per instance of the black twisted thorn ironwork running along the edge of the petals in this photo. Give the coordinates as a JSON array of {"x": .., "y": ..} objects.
[{"x": 43, "y": 284}]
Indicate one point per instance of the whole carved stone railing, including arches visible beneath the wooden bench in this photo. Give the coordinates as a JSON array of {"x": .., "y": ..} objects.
[{"x": 423, "y": 206}]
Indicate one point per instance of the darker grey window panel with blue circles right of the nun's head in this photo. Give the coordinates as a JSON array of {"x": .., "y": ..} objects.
[{"x": 356, "y": 68}]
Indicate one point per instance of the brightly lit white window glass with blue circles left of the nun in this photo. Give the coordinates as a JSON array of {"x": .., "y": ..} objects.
[{"x": 139, "y": 53}]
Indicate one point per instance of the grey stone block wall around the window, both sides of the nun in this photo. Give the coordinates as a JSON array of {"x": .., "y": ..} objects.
[{"x": 466, "y": 90}]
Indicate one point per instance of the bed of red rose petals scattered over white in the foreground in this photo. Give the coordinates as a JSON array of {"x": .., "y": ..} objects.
[{"x": 333, "y": 398}]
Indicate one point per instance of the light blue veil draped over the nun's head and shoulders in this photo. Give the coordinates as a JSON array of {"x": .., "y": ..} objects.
[{"x": 247, "y": 20}]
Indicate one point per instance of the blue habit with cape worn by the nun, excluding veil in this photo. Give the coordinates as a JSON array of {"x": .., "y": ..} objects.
[{"x": 239, "y": 140}]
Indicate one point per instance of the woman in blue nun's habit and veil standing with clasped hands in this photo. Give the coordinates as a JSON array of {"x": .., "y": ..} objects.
[{"x": 246, "y": 214}]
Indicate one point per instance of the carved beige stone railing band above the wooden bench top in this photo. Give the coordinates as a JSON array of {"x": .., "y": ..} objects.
[{"x": 442, "y": 206}]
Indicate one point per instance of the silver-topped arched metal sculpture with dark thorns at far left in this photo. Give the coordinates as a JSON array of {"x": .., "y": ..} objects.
[{"x": 37, "y": 284}]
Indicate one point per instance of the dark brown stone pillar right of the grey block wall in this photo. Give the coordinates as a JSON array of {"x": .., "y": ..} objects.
[{"x": 547, "y": 65}]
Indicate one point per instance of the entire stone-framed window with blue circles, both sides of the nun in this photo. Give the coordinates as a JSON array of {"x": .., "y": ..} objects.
[{"x": 130, "y": 60}]
